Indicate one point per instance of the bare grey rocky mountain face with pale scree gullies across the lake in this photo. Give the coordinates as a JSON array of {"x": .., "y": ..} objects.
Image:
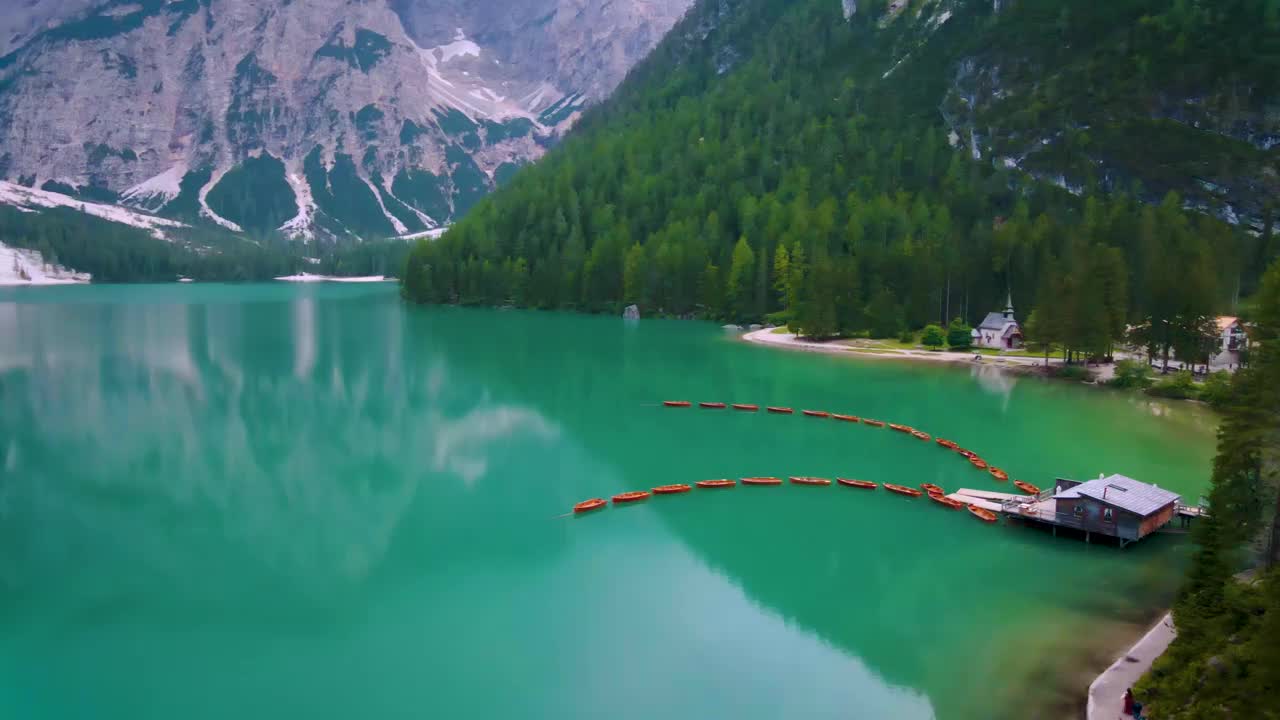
[{"x": 324, "y": 119}]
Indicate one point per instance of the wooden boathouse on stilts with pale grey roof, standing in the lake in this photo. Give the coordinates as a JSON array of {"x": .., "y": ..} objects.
[{"x": 1113, "y": 507}]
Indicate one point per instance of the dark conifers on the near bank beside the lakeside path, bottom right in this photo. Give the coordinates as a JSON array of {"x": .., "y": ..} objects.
[{"x": 1226, "y": 662}]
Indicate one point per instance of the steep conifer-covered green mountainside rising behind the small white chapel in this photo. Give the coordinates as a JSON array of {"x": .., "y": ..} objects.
[{"x": 858, "y": 174}]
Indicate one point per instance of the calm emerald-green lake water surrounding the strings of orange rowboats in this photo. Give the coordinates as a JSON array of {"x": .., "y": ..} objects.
[{"x": 278, "y": 502}]
